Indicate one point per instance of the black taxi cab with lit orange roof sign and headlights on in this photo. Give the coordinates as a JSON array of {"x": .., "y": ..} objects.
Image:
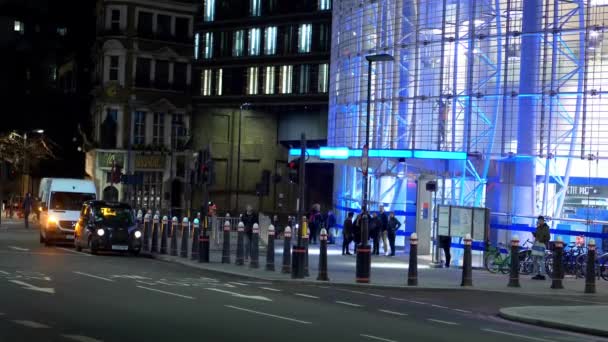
[{"x": 107, "y": 226}]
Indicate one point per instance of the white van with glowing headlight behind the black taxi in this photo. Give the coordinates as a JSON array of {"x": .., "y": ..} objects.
[{"x": 61, "y": 200}]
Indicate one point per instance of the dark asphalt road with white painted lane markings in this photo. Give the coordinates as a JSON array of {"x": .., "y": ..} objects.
[{"x": 58, "y": 294}]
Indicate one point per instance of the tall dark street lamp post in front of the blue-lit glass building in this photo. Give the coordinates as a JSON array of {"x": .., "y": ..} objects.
[{"x": 364, "y": 251}]
